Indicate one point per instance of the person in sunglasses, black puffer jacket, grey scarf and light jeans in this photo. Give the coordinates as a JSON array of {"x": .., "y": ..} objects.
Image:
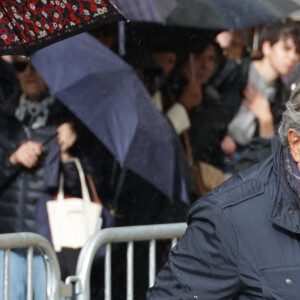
[{"x": 31, "y": 120}]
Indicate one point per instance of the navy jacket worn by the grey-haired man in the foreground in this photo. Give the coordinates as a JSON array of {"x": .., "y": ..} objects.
[{"x": 242, "y": 241}]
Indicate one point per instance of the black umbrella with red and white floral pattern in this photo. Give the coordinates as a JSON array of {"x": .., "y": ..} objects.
[{"x": 29, "y": 25}]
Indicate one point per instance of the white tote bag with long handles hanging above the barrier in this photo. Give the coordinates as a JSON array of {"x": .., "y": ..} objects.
[{"x": 73, "y": 220}]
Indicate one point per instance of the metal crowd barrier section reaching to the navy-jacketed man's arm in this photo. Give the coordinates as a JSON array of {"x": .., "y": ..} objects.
[{"x": 128, "y": 235}]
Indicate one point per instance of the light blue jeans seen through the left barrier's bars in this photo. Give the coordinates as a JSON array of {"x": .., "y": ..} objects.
[{"x": 18, "y": 276}]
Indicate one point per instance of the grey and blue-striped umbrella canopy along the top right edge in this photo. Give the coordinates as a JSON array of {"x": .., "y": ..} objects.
[{"x": 208, "y": 14}]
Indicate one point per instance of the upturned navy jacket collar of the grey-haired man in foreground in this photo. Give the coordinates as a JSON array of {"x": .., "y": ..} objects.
[{"x": 285, "y": 212}]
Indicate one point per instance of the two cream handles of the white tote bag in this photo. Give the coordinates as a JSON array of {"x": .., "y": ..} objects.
[{"x": 84, "y": 189}]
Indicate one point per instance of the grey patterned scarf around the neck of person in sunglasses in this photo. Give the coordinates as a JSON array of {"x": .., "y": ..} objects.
[{"x": 37, "y": 111}]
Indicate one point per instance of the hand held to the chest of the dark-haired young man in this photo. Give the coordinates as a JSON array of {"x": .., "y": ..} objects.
[{"x": 260, "y": 106}]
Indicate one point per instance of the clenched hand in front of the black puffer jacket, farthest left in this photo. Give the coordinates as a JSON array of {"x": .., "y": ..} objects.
[{"x": 27, "y": 154}]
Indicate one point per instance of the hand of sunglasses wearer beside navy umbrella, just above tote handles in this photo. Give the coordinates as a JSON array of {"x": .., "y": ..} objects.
[{"x": 66, "y": 136}]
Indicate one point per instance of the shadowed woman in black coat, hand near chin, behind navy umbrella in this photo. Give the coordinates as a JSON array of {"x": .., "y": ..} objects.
[{"x": 208, "y": 117}]
